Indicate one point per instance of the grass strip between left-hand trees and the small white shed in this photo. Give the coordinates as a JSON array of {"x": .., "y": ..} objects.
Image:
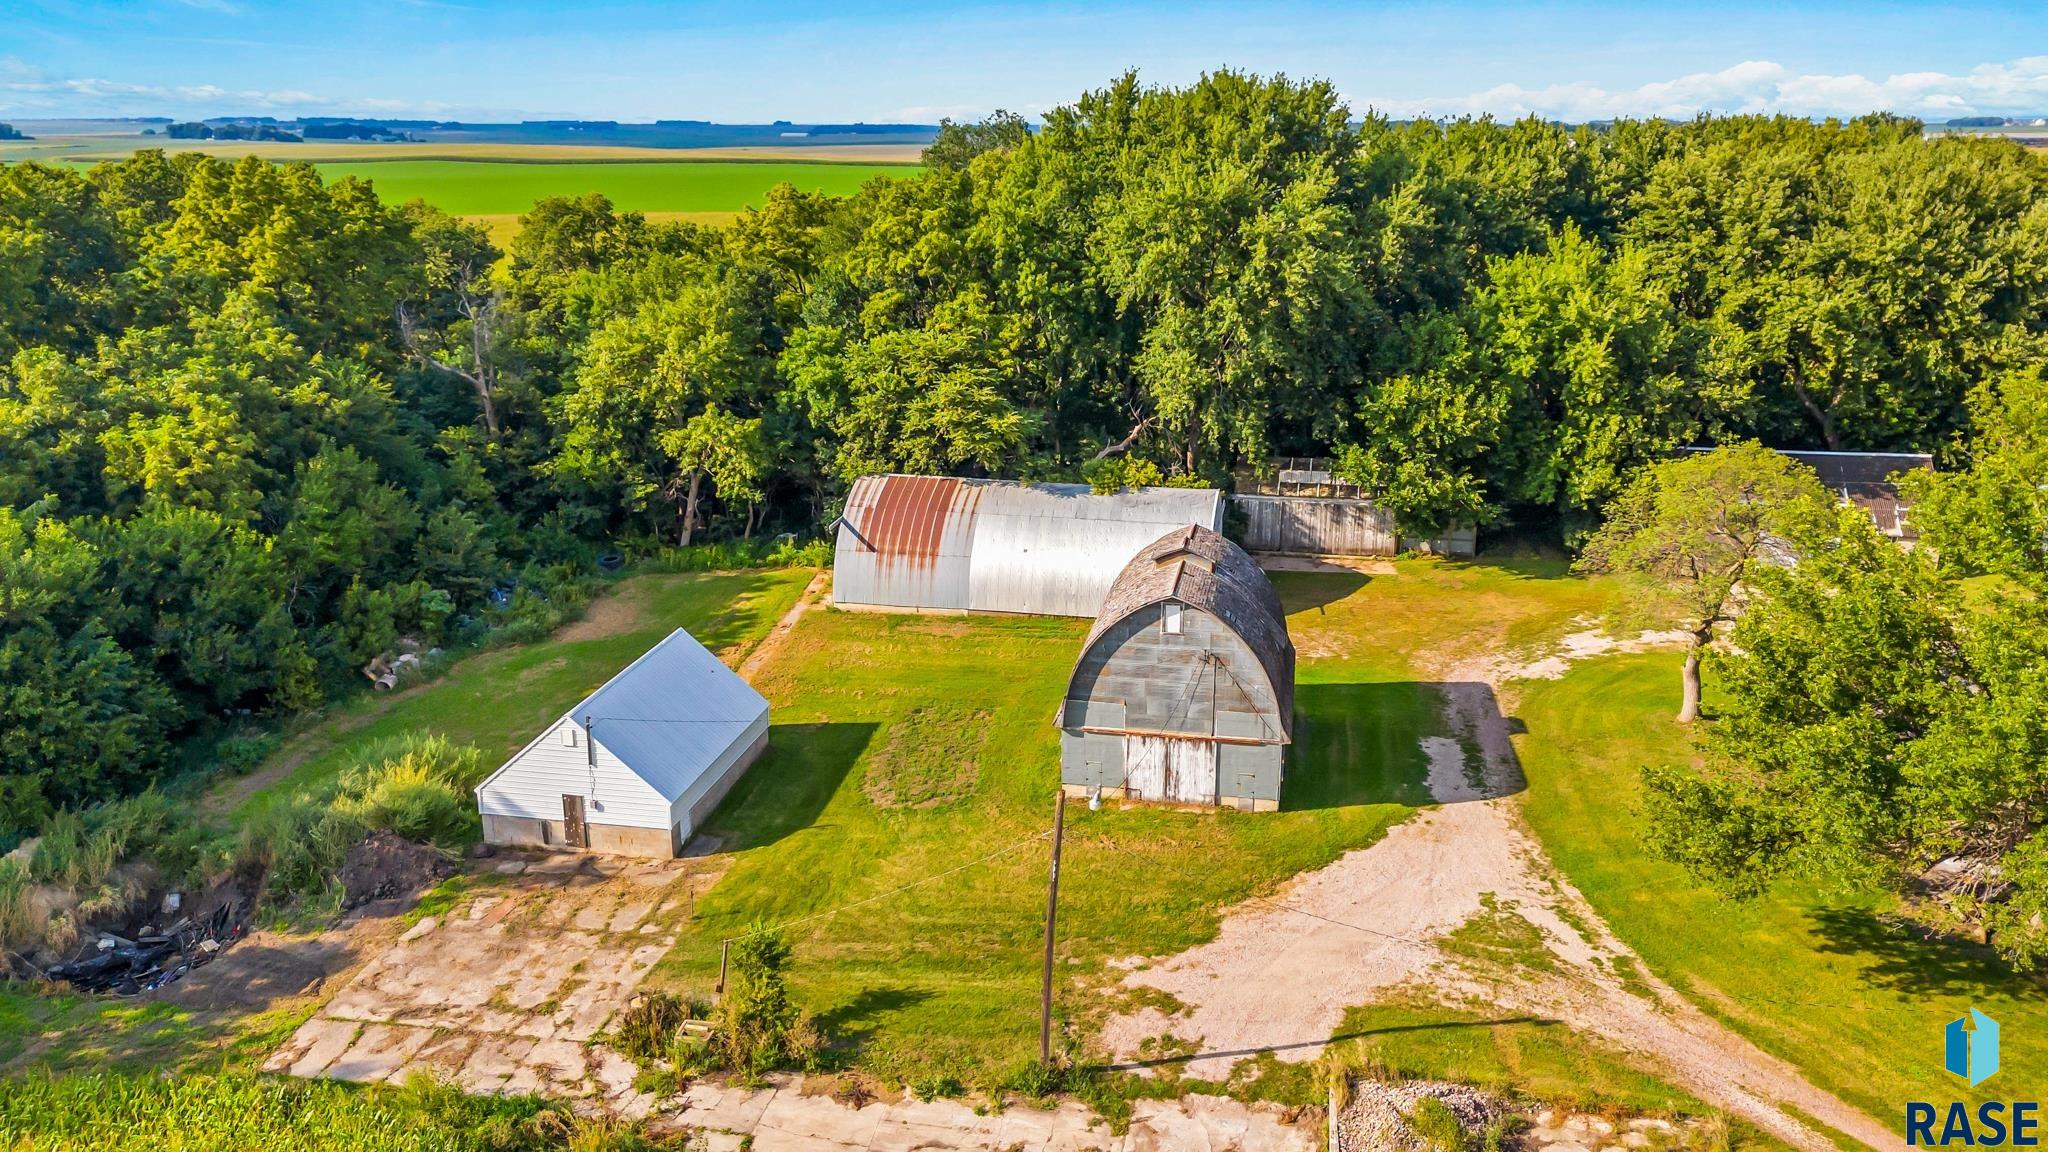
[{"x": 501, "y": 700}]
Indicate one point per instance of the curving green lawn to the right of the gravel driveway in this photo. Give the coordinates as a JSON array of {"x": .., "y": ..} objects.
[{"x": 1820, "y": 981}]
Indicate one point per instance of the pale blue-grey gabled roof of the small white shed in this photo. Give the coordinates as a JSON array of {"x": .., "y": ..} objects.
[{"x": 671, "y": 714}]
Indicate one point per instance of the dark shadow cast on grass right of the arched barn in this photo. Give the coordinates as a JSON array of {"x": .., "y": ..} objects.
[{"x": 1365, "y": 745}]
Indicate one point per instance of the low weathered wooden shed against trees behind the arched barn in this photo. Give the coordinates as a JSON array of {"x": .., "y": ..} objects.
[{"x": 1306, "y": 509}]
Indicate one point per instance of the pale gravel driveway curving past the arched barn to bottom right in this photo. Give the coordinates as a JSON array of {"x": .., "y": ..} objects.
[{"x": 1283, "y": 971}]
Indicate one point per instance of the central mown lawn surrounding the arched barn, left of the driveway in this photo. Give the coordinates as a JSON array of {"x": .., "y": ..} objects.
[{"x": 943, "y": 979}]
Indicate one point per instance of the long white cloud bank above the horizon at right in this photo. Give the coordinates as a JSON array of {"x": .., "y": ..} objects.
[{"x": 1760, "y": 87}]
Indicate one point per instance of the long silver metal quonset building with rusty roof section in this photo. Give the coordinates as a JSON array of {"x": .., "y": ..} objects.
[{"x": 996, "y": 546}]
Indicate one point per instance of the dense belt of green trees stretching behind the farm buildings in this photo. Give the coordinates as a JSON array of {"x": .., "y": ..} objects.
[{"x": 255, "y": 427}]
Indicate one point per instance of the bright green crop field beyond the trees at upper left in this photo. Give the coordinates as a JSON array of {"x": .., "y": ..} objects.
[{"x": 505, "y": 188}]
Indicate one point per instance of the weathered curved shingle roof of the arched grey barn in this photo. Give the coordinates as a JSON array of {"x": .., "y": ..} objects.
[{"x": 1203, "y": 571}]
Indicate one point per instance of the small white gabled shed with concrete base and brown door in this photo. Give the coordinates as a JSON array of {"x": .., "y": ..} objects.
[{"x": 638, "y": 766}]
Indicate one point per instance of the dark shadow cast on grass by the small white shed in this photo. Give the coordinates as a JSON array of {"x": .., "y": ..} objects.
[{"x": 792, "y": 784}]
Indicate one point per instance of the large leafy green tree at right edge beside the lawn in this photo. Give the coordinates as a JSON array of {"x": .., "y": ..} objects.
[{"x": 1881, "y": 729}]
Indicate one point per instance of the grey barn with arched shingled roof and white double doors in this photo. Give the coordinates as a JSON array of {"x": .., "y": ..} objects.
[{"x": 1185, "y": 692}]
